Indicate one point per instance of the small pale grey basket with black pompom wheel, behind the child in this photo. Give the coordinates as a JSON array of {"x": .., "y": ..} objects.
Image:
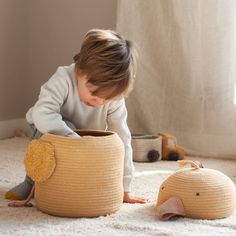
[{"x": 144, "y": 144}]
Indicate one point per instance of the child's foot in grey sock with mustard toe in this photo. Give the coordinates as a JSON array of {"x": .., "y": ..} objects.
[{"x": 21, "y": 191}]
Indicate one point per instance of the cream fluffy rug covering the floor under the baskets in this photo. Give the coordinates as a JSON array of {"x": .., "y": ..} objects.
[{"x": 132, "y": 219}]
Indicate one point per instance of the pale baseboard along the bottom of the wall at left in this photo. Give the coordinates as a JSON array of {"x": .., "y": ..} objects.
[{"x": 10, "y": 128}]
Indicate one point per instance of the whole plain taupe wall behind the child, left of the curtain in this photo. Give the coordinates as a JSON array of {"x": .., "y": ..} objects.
[{"x": 38, "y": 36}]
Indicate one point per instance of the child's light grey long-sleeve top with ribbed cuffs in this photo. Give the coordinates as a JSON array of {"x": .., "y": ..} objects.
[{"x": 59, "y": 100}]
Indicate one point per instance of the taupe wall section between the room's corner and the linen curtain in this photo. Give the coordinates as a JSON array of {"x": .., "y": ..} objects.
[{"x": 56, "y": 28}]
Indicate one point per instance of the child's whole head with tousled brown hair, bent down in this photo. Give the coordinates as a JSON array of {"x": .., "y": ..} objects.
[{"x": 105, "y": 66}]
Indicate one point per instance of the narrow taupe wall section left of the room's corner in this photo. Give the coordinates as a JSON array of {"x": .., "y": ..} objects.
[{"x": 13, "y": 58}]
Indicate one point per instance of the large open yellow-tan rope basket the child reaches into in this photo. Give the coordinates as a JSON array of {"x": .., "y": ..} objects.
[{"x": 85, "y": 179}]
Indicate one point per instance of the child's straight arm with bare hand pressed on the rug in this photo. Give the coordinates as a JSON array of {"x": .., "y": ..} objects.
[{"x": 117, "y": 121}]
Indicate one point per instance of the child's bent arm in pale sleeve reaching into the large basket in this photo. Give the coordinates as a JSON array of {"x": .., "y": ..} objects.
[{"x": 46, "y": 114}]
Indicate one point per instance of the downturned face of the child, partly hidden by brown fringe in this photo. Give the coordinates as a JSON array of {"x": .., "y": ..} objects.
[{"x": 85, "y": 90}]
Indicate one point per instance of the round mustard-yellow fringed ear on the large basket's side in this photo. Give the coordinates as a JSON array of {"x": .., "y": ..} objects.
[{"x": 40, "y": 160}]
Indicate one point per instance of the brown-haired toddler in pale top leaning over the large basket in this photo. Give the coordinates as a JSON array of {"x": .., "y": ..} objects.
[{"x": 88, "y": 94}]
